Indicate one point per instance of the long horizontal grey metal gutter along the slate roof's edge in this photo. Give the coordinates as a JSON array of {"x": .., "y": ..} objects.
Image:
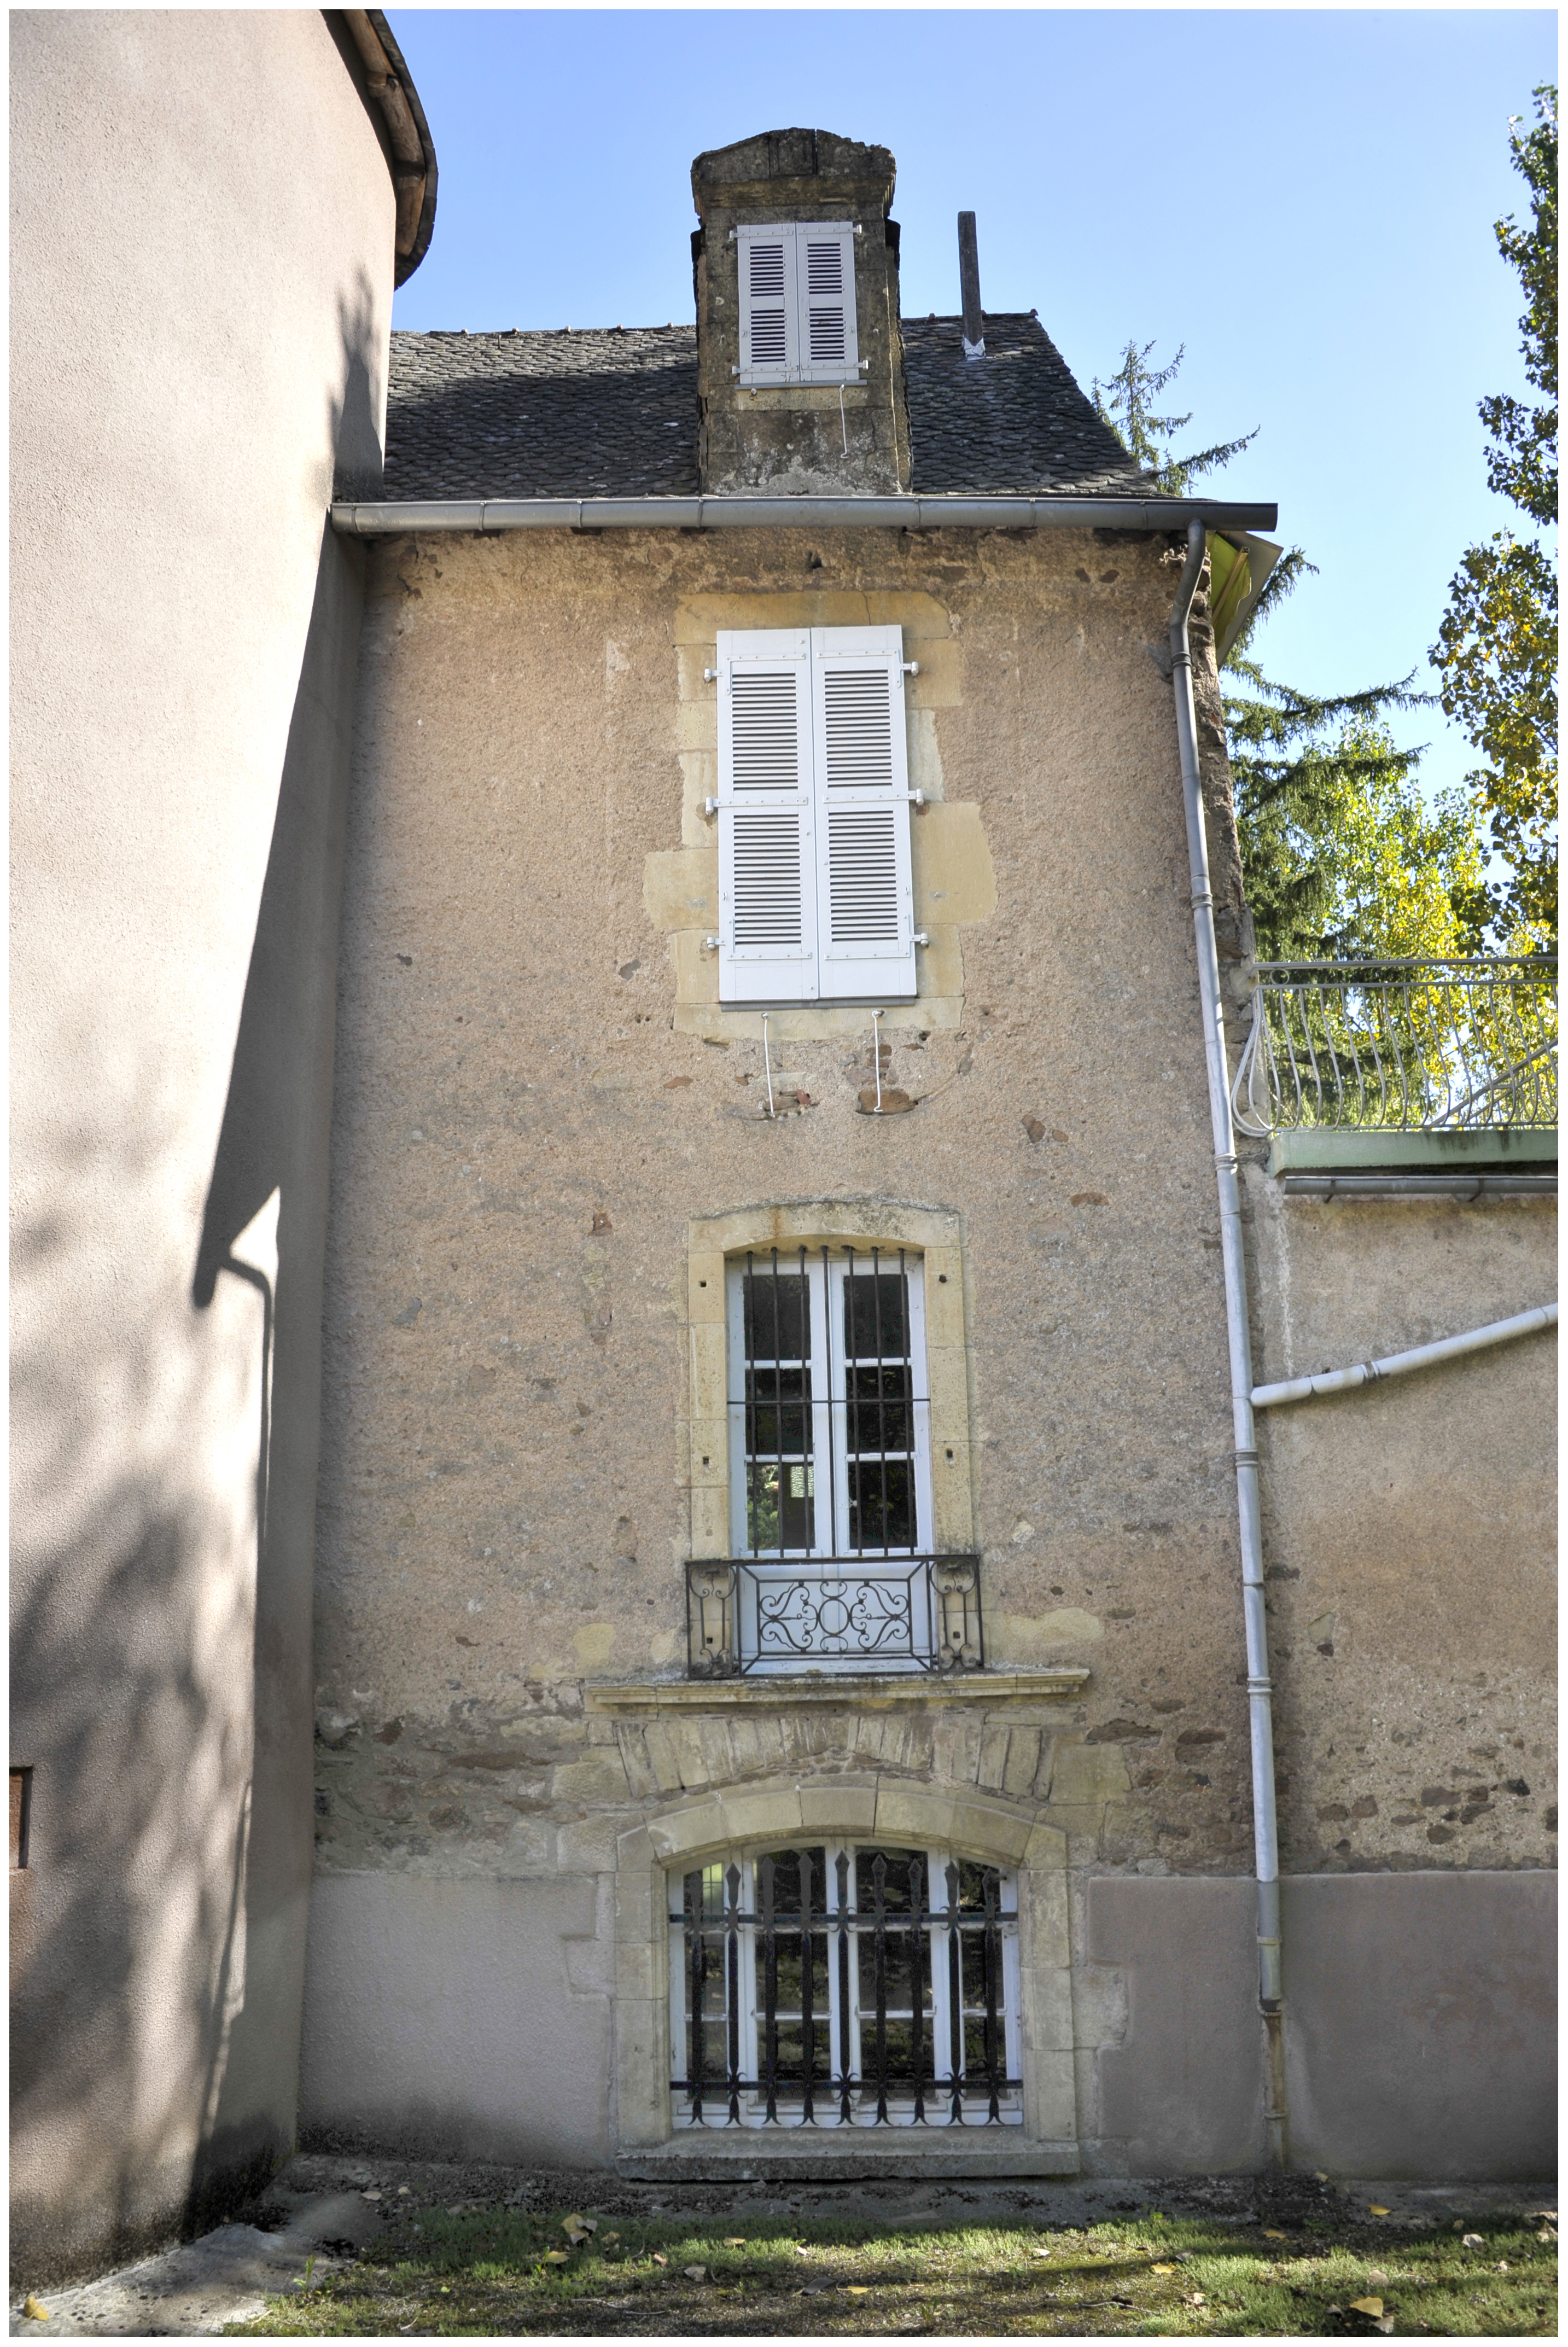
[{"x": 496, "y": 515}]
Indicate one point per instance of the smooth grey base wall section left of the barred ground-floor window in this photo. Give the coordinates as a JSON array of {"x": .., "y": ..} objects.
[{"x": 447, "y": 2020}]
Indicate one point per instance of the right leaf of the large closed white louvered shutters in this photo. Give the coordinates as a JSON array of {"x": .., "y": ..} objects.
[{"x": 865, "y": 891}]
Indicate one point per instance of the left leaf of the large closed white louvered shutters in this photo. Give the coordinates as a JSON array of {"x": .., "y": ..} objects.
[{"x": 766, "y": 818}]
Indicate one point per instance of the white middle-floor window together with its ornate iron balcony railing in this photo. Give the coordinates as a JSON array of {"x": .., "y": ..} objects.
[{"x": 830, "y": 1480}]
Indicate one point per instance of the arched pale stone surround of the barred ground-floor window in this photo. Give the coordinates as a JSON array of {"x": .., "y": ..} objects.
[{"x": 705, "y": 1827}]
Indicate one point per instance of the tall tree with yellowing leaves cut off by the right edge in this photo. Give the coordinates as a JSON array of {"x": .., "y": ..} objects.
[{"x": 1496, "y": 649}]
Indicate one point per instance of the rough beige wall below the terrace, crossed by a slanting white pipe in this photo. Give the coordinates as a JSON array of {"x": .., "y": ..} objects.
[{"x": 1410, "y": 1534}]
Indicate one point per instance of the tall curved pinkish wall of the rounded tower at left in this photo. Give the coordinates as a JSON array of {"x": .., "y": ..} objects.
[{"x": 201, "y": 297}]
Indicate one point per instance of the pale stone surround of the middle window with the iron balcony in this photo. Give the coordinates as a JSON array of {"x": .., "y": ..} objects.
[{"x": 931, "y": 1231}]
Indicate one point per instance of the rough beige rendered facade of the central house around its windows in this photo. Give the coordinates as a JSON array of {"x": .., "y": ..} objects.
[{"x": 541, "y": 1104}]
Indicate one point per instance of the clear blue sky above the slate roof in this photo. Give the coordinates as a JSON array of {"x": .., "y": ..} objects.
[{"x": 1304, "y": 198}]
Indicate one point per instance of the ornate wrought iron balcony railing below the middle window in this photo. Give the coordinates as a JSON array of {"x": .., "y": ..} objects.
[{"x": 773, "y": 1616}]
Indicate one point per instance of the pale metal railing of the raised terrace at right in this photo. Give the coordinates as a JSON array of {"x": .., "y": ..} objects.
[{"x": 1464, "y": 1046}]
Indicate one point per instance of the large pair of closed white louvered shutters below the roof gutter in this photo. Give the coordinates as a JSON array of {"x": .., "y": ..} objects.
[{"x": 816, "y": 858}]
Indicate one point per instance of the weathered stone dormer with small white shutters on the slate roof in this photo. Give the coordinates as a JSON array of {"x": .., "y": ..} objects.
[{"x": 799, "y": 358}]
